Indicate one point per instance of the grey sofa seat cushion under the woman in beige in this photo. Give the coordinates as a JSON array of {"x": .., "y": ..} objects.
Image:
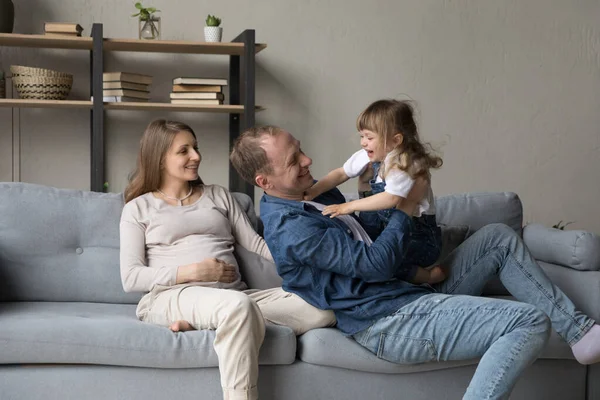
[{"x": 110, "y": 334}]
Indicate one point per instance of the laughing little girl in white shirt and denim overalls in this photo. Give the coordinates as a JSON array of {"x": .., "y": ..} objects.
[{"x": 390, "y": 141}]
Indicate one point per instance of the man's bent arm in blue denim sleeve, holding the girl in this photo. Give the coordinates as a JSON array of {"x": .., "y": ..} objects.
[{"x": 314, "y": 242}]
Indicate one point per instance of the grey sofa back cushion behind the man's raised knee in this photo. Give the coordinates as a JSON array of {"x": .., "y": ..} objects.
[{"x": 479, "y": 209}]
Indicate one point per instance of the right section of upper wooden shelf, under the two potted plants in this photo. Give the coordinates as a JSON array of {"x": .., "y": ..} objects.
[{"x": 177, "y": 46}]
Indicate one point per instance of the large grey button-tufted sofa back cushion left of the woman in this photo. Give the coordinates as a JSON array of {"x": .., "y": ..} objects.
[{"x": 60, "y": 245}]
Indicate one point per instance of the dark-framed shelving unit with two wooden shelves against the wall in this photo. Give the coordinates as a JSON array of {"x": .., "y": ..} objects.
[{"x": 241, "y": 107}]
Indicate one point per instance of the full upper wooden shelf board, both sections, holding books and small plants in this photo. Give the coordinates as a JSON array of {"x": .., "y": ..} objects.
[{"x": 137, "y": 45}]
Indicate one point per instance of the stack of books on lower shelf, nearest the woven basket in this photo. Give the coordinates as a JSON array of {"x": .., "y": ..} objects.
[{"x": 125, "y": 86}]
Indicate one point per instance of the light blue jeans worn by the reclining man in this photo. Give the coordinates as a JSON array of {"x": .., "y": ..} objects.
[{"x": 455, "y": 325}]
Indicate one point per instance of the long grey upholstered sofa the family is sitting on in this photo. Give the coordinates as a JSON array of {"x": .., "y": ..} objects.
[{"x": 68, "y": 331}]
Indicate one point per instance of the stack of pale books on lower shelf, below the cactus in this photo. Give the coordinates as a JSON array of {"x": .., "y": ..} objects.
[{"x": 198, "y": 91}]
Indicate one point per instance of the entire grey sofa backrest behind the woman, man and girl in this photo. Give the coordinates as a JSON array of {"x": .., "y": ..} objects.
[{"x": 63, "y": 245}]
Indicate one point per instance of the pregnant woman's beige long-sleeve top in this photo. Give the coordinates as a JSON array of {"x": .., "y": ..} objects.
[{"x": 157, "y": 238}]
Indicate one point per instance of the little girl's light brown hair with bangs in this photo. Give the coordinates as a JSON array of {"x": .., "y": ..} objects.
[{"x": 387, "y": 118}]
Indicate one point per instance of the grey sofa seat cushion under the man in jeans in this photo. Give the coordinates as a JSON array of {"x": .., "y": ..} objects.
[{"x": 329, "y": 347}]
